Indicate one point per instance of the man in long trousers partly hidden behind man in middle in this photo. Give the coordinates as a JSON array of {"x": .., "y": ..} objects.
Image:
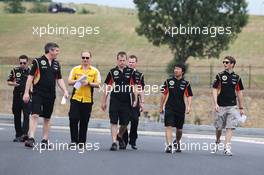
[{"x": 139, "y": 77}]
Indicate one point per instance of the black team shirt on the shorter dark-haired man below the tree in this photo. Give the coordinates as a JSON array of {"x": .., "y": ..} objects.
[{"x": 175, "y": 90}]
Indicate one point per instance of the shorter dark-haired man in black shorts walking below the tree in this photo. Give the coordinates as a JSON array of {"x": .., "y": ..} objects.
[{"x": 174, "y": 90}]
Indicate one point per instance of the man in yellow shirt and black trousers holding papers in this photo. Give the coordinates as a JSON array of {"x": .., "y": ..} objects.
[{"x": 84, "y": 78}]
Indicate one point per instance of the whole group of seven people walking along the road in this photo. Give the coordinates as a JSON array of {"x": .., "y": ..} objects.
[{"x": 34, "y": 95}]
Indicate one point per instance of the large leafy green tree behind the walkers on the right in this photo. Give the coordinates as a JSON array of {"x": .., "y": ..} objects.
[{"x": 191, "y": 28}]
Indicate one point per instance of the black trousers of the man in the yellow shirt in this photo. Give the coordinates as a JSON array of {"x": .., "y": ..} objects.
[{"x": 79, "y": 116}]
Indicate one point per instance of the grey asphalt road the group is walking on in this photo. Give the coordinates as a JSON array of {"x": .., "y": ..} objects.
[{"x": 16, "y": 159}]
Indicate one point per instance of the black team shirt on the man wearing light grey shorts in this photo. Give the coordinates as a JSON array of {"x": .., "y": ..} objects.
[{"x": 227, "y": 84}]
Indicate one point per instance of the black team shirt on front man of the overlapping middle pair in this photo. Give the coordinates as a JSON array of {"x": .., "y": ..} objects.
[{"x": 122, "y": 83}]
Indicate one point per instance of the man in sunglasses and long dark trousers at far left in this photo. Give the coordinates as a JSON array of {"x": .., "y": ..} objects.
[{"x": 17, "y": 78}]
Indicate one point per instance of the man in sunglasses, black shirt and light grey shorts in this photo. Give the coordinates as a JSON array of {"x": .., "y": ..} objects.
[{"x": 226, "y": 87}]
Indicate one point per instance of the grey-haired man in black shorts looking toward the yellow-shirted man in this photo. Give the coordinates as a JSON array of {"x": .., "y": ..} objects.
[{"x": 45, "y": 71}]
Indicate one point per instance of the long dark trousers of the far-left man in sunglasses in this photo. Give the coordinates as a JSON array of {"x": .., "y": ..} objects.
[{"x": 17, "y": 108}]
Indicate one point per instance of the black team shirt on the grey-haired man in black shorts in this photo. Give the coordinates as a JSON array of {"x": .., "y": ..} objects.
[{"x": 45, "y": 76}]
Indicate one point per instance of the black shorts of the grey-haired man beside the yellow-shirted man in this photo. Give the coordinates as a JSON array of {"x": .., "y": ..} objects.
[{"x": 42, "y": 106}]
